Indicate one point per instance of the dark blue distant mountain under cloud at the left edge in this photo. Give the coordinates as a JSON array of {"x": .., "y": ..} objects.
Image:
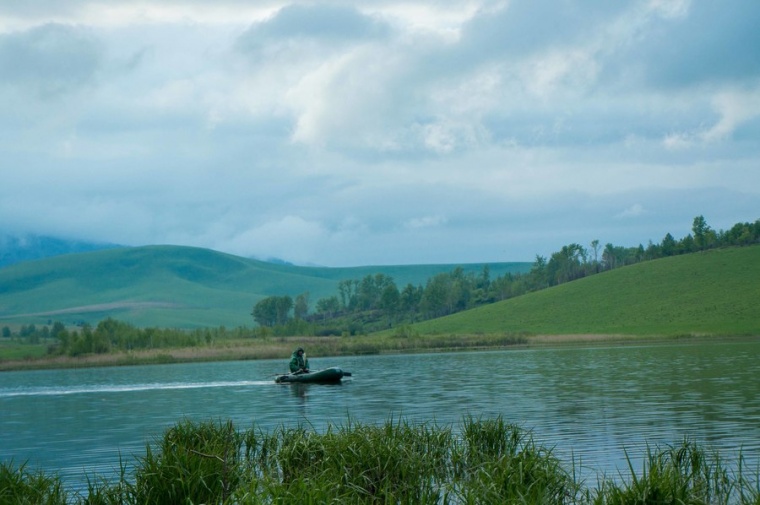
[{"x": 15, "y": 249}]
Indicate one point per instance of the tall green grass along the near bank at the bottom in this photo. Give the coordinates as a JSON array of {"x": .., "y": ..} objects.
[{"x": 482, "y": 461}]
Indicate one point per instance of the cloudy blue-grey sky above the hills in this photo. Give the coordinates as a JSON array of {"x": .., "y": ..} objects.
[{"x": 379, "y": 132}]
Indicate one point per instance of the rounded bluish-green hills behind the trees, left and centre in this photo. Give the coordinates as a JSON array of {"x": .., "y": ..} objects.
[{"x": 172, "y": 286}]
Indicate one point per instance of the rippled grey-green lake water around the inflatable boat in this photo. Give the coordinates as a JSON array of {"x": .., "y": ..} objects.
[{"x": 591, "y": 404}]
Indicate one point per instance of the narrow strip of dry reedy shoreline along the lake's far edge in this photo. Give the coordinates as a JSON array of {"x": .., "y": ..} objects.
[{"x": 281, "y": 347}]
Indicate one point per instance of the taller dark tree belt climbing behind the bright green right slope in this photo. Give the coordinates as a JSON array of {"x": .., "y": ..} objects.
[{"x": 375, "y": 302}]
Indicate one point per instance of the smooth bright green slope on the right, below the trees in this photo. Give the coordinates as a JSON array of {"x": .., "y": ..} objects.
[{"x": 716, "y": 292}]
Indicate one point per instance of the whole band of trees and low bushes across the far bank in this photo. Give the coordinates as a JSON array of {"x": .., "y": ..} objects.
[{"x": 375, "y": 302}]
